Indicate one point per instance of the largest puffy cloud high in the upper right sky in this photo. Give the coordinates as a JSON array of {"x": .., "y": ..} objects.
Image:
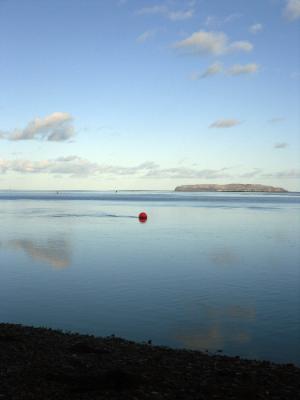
[{"x": 213, "y": 43}]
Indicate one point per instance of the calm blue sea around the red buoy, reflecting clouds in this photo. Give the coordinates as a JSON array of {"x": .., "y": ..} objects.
[{"x": 216, "y": 272}]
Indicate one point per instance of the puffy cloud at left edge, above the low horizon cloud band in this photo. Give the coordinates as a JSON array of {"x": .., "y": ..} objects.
[{"x": 56, "y": 127}]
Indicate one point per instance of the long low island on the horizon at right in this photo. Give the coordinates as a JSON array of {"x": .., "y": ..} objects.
[{"x": 231, "y": 187}]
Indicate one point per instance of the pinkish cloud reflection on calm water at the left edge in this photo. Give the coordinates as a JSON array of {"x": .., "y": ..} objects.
[{"x": 54, "y": 252}]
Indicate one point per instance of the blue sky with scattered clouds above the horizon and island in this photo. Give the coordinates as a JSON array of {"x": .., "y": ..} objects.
[{"x": 142, "y": 94}]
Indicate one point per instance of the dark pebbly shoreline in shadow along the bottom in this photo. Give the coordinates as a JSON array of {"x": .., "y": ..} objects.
[{"x": 41, "y": 363}]
